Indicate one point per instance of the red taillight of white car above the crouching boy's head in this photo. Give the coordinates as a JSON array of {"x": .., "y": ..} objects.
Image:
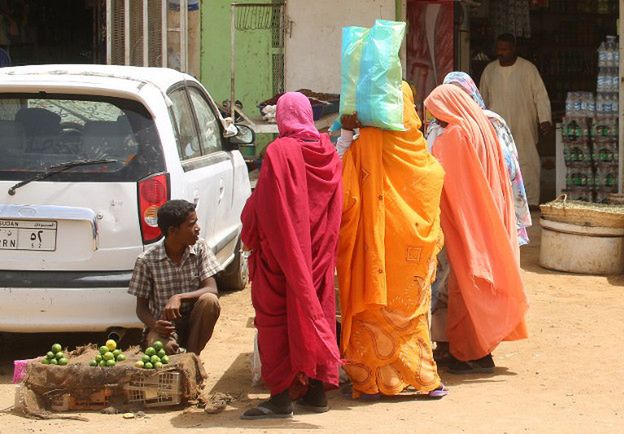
[{"x": 153, "y": 193}]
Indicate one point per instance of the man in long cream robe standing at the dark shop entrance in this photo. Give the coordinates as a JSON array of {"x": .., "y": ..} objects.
[{"x": 512, "y": 87}]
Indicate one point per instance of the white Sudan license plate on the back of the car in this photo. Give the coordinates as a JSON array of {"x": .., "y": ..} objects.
[{"x": 28, "y": 235}]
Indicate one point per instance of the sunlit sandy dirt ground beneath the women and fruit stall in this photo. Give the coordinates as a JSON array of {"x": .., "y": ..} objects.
[{"x": 567, "y": 377}]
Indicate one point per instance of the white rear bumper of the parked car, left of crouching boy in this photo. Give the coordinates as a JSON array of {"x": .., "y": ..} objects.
[{"x": 53, "y": 309}]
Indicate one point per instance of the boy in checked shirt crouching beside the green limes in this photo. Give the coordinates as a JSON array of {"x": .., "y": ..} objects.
[{"x": 176, "y": 293}]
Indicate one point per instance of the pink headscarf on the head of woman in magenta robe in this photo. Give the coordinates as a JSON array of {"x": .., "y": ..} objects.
[{"x": 295, "y": 119}]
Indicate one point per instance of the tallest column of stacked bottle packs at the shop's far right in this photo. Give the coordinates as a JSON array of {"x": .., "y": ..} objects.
[{"x": 605, "y": 121}]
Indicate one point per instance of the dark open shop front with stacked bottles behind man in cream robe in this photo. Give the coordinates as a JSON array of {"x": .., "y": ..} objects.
[{"x": 562, "y": 39}]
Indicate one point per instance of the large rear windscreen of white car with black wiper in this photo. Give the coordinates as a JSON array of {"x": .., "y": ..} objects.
[{"x": 38, "y": 131}]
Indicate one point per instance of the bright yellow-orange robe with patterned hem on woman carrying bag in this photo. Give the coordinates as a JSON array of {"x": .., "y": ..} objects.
[{"x": 389, "y": 238}]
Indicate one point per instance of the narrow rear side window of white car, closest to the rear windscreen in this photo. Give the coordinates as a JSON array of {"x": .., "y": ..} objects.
[{"x": 187, "y": 137}]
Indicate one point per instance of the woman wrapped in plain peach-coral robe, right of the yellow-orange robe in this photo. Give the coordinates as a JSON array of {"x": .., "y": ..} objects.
[{"x": 486, "y": 296}]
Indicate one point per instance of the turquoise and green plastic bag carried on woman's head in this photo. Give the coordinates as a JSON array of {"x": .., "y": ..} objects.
[{"x": 371, "y": 74}]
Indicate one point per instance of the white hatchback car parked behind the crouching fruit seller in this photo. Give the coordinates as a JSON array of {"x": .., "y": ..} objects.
[{"x": 87, "y": 155}]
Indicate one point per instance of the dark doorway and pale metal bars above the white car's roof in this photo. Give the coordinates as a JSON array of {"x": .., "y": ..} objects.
[{"x": 121, "y": 32}]
